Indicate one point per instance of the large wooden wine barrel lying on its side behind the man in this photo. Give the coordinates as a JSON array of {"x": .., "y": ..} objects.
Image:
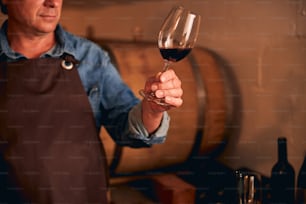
[{"x": 197, "y": 128}]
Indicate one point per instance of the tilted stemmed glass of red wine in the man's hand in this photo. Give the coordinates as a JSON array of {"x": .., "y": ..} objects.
[{"x": 176, "y": 38}]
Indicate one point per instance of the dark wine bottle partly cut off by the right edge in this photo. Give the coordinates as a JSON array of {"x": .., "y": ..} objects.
[{"x": 301, "y": 184}]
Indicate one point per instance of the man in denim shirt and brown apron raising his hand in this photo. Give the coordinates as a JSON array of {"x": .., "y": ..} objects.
[{"x": 57, "y": 90}]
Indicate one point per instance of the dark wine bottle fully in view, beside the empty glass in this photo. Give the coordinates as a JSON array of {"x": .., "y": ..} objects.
[{"x": 282, "y": 176}]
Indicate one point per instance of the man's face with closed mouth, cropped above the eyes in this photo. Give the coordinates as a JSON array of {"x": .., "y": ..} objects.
[{"x": 35, "y": 16}]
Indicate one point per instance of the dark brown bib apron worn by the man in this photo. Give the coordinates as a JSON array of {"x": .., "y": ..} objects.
[{"x": 50, "y": 150}]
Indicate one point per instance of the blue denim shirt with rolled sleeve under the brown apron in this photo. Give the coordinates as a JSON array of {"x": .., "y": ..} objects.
[{"x": 113, "y": 103}]
